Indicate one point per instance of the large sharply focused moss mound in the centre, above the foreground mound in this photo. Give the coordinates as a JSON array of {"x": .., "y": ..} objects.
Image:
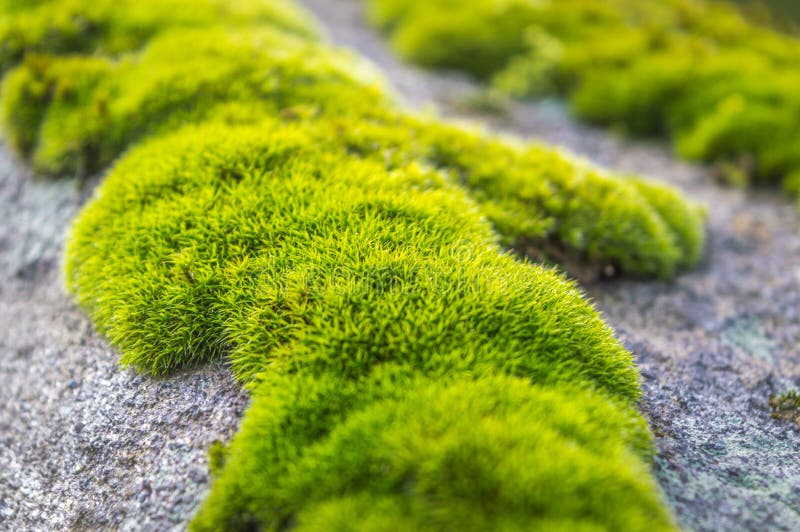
[{"x": 230, "y": 239}]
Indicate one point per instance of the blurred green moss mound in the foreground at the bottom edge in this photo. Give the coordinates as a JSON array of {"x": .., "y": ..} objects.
[{"x": 404, "y": 452}]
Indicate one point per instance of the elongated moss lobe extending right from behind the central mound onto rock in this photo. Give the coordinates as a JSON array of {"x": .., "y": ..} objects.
[{"x": 540, "y": 198}]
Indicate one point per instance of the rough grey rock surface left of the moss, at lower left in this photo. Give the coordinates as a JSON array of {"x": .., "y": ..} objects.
[{"x": 83, "y": 444}]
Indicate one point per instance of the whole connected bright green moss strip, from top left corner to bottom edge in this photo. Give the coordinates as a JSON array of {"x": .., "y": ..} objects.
[{"x": 274, "y": 207}]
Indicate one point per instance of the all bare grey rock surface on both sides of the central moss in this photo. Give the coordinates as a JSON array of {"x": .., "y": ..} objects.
[{"x": 86, "y": 445}]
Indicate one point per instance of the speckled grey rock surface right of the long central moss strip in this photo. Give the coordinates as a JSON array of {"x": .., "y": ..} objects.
[{"x": 713, "y": 345}]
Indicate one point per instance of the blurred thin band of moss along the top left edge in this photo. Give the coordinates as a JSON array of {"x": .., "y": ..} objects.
[{"x": 115, "y": 26}]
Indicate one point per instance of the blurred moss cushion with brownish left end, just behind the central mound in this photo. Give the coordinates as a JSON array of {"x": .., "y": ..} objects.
[{"x": 88, "y": 110}]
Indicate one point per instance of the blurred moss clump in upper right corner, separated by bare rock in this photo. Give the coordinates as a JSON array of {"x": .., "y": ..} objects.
[{"x": 694, "y": 71}]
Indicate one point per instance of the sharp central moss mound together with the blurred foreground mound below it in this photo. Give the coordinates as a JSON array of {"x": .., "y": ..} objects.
[{"x": 338, "y": 288}]
